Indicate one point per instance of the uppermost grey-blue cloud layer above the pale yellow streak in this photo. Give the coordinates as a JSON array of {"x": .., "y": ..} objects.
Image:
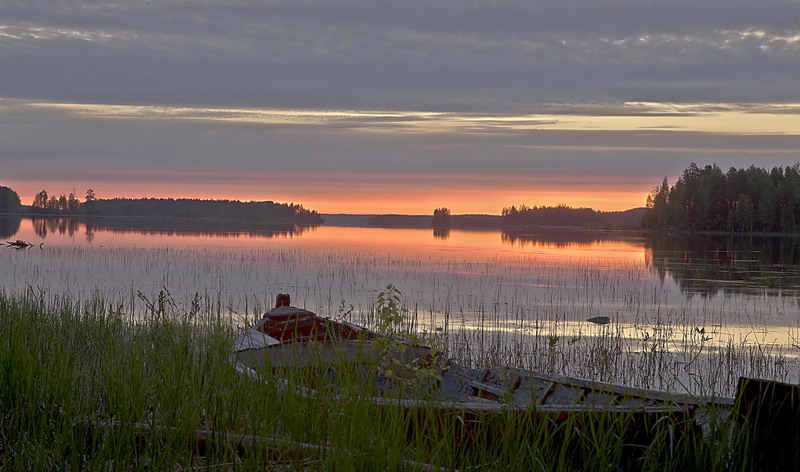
[{"x": 382, "y": 54}]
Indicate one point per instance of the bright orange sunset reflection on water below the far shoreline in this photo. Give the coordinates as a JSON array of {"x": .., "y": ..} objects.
[{"x": 396, "y": 241}]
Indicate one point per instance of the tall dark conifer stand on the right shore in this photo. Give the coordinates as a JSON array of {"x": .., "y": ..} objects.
[{"x": 739, "y": 200}]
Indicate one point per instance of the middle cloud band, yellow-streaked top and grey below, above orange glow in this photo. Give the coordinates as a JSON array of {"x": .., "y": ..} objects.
[{"x": 556, "y": 140}]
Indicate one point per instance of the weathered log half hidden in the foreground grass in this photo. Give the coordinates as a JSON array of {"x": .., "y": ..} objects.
[{"x": 243, "y": 444}]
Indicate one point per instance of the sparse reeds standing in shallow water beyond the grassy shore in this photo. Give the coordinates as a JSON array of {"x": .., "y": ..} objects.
[{"x": 516, "y": 309}]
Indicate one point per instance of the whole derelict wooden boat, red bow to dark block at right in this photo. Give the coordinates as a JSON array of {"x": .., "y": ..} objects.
[{"x": 474, "y": 406}]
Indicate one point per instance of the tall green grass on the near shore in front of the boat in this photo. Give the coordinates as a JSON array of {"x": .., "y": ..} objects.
[{"x": 78, "y": 376}]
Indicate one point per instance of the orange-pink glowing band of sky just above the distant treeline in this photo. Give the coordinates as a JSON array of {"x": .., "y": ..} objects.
[{"x": 373, "y": 193}]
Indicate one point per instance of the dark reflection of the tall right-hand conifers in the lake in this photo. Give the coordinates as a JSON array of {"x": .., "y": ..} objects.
[{"x": 707, "y": 264}]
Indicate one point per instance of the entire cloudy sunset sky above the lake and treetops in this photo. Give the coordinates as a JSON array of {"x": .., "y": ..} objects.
[{"x": 393, "y": 106}]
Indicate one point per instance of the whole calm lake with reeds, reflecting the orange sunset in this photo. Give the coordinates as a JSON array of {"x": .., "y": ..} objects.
[{"x": 679, "y": 306}]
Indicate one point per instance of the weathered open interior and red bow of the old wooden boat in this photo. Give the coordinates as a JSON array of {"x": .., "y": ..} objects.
[{"x": 294, "y": 338}]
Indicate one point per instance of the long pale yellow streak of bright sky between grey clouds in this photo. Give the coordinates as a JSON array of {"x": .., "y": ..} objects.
[{"x": 762, "y": 118}]
